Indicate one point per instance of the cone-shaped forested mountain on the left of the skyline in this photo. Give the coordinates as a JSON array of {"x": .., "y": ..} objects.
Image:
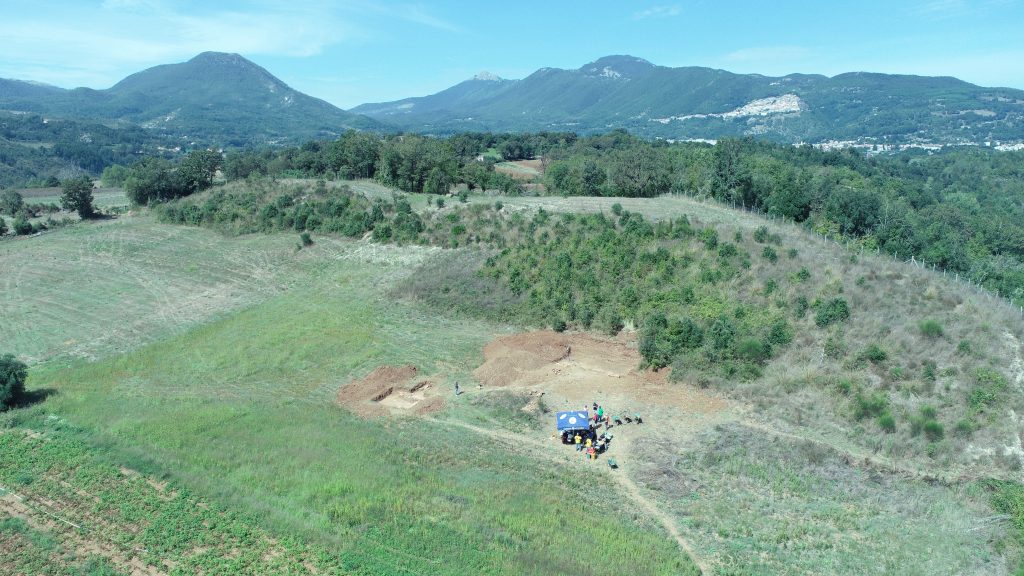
[{"x": 216, "y": 99}]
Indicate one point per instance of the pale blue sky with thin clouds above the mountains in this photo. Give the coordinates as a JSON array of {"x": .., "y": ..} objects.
[{"x": 350, "y": 53}]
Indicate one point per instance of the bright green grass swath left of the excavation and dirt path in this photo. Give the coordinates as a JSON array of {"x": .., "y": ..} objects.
[{"x": 240, "y": 410}]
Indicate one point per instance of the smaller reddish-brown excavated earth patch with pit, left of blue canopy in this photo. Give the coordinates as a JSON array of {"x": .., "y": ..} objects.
[{"x": 391, "y": 390}]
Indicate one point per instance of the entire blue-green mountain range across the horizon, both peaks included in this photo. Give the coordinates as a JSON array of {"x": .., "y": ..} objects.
[{"x": 227, "y": 100}]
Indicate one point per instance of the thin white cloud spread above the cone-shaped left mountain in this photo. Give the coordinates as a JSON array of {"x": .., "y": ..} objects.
[{"x": 96, "y": 49}]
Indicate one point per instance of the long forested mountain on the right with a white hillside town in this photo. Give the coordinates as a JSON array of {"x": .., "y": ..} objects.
[{"x": 703, "y": 103}]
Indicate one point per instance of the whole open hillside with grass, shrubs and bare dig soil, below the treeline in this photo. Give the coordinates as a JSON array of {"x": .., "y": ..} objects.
[{"x": 244, "y": 369}]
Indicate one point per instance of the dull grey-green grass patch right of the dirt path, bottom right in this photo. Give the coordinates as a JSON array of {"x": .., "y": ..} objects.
[{"x": 764, "y": 507}]
